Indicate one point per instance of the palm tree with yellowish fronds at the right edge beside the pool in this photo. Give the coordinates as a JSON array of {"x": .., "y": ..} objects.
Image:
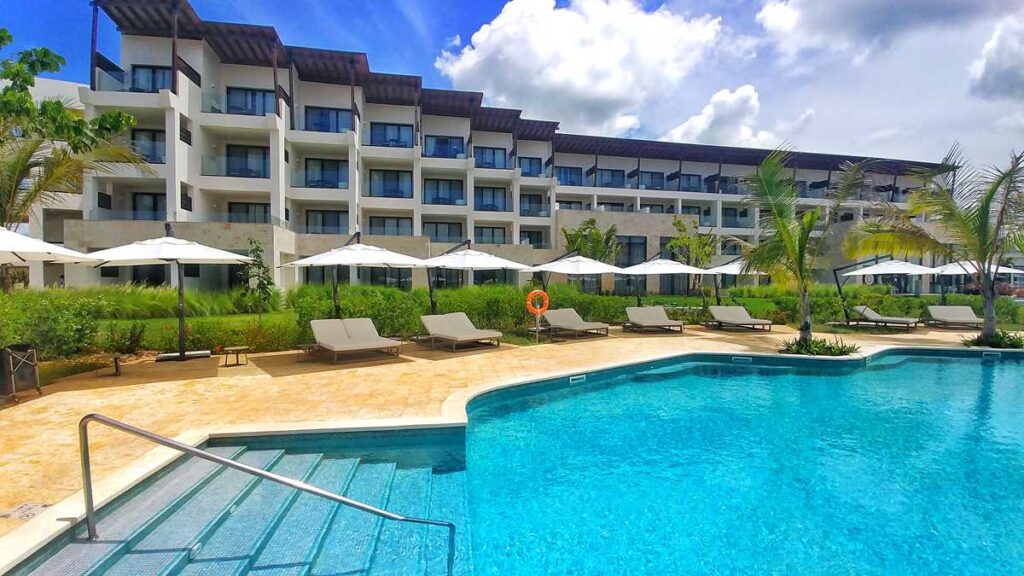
[{"x": 972, "y": 216}]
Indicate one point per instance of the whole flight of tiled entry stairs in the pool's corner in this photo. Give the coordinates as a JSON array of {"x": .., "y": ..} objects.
[{"x": 200, "y": 518}]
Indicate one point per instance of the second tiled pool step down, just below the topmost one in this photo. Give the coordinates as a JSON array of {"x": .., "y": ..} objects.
[{"x": 166, "y": 549}]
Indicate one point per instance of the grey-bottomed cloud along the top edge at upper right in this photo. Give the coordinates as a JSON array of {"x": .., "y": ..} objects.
[{"x": 862, "y": 27}]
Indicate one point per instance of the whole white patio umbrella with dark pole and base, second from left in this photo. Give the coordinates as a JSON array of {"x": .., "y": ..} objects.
[{"x": 169, "y": 251}]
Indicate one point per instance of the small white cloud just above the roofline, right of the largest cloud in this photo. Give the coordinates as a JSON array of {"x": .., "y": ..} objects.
[{"x": 730, "y": 118}]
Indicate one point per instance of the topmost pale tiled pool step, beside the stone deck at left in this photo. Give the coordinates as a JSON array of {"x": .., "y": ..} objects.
[{"x": 134, "y": 519}]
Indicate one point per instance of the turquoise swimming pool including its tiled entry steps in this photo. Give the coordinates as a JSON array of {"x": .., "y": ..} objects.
[{"x": 907, "y": 464}]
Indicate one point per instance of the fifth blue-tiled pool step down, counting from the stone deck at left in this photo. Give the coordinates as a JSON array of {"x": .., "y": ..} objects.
[{"x": 350, "y": 542}]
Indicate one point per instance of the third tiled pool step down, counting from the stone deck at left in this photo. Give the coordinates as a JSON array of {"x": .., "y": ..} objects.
[{"x": 232, "y": 549}]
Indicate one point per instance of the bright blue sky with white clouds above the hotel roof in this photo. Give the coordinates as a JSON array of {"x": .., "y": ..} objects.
[{"x": 904, "y": 79}]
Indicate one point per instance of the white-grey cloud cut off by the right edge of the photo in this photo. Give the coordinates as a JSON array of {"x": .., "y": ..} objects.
[{"x": 999, "y": 72}]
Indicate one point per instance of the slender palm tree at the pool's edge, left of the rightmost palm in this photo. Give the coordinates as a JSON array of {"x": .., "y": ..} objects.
[{"x": 789, "y": 246}]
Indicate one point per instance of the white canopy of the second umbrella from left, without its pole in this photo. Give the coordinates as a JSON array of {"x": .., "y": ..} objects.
[{"x": 166, "y": 251}]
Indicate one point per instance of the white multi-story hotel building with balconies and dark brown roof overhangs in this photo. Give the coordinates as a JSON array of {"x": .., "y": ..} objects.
[{"x": 301, "y": 148}]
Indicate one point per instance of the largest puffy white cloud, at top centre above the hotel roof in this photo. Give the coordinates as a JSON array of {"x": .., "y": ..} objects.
[{"x": 592, "y": 65}]
